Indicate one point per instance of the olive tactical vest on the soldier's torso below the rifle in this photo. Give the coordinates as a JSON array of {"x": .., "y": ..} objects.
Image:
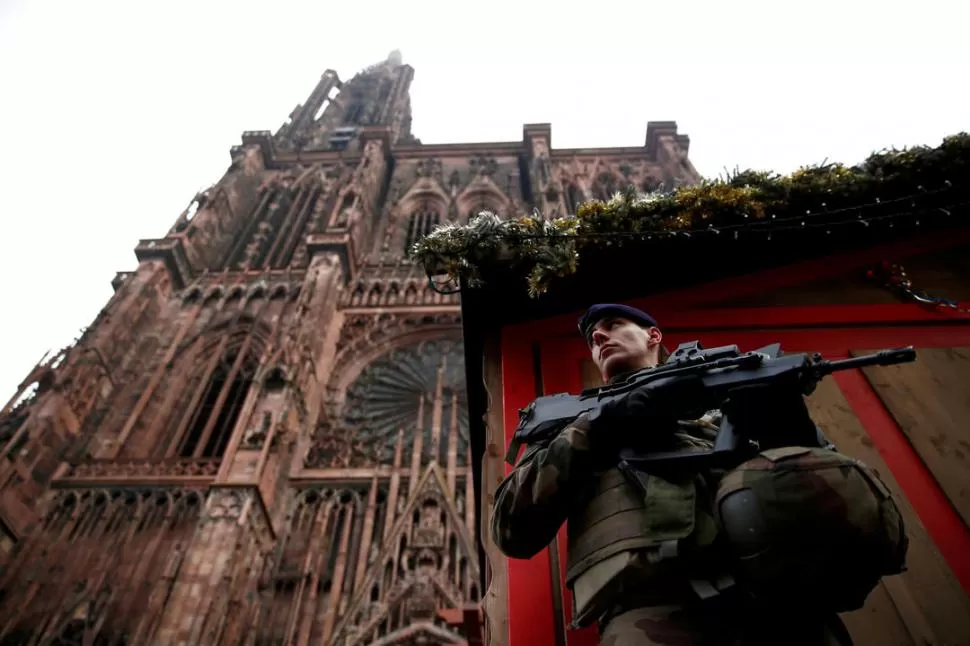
[{"x": 627, "y": 538}]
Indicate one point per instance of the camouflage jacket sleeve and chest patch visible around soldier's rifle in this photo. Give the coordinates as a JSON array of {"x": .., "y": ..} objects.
[{"x": 536, "y": 498}]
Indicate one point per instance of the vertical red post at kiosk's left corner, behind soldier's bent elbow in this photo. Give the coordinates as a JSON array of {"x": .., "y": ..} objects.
[{"x": 530, "y": 610}]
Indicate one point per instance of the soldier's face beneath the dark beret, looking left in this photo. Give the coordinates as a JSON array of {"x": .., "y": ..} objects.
[{"x": 619, "y": 346}]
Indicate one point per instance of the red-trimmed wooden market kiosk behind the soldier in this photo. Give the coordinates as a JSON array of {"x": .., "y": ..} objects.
[{"x": 840, "y": 286}]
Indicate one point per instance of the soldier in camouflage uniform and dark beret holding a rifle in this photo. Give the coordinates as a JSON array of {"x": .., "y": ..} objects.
[{"x": 645, "y": 563}]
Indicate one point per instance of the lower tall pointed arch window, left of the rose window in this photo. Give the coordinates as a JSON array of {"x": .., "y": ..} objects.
[{"x": 208, "y": 428}]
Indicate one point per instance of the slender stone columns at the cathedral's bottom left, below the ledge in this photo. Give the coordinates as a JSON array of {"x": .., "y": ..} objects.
[{"x": 145, "y": 532}]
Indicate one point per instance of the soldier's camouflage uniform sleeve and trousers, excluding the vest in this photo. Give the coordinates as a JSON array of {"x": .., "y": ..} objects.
[{"x": 552, "y": 483}]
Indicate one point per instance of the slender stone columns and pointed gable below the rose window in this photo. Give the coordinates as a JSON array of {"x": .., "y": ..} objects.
[{"x": 372, "y": 562}]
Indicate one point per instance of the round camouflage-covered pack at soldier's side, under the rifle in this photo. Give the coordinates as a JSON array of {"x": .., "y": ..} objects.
[{"x": 809, "y": 525}]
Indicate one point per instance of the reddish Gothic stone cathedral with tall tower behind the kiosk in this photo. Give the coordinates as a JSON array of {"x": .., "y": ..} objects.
[{"x": 262, "y": 438}]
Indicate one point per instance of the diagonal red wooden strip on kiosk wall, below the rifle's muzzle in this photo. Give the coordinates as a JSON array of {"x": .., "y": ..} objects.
[{"x": 944, "y": 525}]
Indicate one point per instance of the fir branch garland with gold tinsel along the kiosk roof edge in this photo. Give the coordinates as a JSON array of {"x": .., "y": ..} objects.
[{"x": 542, "y": 250}]
